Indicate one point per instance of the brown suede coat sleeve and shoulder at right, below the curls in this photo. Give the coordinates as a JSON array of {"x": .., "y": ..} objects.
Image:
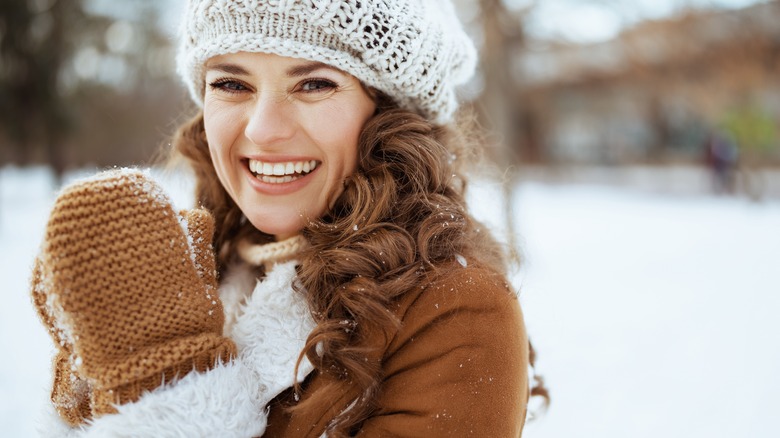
[{"x": 459, "y": 365}]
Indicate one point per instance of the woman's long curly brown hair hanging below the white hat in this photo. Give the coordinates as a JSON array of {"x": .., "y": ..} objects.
[{"x": 402, "y": 214}]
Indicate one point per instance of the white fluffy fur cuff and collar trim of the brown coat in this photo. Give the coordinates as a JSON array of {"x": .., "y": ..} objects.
[{"x": 230, "y": 399}]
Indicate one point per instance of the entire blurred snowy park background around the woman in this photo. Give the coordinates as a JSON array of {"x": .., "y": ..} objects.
[{"x": 635, "y": 150}]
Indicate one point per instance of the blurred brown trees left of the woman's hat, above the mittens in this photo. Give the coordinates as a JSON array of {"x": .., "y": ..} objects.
[{"x": 81, "y": 87}]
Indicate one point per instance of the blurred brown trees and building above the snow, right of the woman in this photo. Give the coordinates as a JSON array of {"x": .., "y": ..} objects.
[{"x": 650, "y": 94}]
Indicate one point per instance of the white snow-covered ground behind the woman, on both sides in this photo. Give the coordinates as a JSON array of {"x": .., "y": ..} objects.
[{"x": 653, "y": 314}]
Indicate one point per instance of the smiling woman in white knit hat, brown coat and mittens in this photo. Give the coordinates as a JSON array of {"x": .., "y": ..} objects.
[{"x": 356, "y": 295}]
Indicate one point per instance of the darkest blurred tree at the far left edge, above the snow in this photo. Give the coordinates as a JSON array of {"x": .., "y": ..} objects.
[{"x": 33, "y": 48}]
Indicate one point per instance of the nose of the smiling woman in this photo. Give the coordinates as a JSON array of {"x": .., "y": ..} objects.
[{"x": 271, "y": 121}]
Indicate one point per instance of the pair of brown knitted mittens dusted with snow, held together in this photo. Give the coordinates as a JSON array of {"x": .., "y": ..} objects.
[{"x": 128, "y": 295}]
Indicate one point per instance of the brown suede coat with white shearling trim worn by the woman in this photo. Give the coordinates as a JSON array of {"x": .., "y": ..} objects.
[{"x": 457, "y": 366}]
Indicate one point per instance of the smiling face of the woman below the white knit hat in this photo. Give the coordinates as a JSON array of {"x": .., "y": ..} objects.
[{"x": 283, "y": 135}]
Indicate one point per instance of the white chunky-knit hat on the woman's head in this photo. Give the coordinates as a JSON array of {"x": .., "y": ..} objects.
[{"x": 415, "y": 51}]
